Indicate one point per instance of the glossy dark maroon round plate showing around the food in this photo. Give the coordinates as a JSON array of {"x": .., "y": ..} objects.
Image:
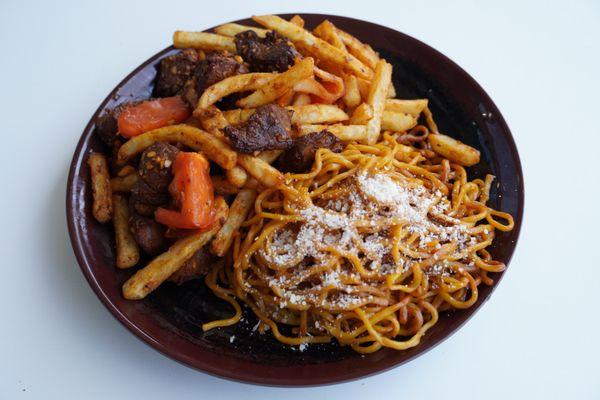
[{"x": 169, "y": 319}]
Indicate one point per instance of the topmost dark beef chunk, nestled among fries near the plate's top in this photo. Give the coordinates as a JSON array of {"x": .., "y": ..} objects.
[{"x": 273, "y": 53}]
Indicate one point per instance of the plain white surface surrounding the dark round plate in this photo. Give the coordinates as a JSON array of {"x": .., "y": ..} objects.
[{"x": 537, "y": 337}]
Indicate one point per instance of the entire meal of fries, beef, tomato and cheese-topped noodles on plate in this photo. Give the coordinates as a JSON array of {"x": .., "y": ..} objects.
[{"x": 275, "y": 163}]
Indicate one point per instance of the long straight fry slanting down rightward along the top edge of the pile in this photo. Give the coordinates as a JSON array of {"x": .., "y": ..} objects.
[{"x": 318, "y": 47}]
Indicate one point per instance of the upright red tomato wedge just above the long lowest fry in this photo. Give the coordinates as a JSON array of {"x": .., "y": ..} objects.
[{"x": 193, "y": 192}]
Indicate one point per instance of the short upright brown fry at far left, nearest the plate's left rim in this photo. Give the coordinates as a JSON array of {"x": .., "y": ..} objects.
[{"x": 102, "y": 208}]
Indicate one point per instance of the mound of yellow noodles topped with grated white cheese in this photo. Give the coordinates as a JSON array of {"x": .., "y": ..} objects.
[{"x": 367, "y": 248}]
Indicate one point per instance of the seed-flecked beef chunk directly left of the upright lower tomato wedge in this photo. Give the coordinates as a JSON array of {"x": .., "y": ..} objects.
[{"x": 155, "y": 165}]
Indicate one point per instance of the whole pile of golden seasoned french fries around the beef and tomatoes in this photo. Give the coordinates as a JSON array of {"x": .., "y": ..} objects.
[{"x": 364, "y": 107}]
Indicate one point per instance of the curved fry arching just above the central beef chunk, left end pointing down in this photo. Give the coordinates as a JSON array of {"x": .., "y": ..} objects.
[{"x": 233, "y": 84}]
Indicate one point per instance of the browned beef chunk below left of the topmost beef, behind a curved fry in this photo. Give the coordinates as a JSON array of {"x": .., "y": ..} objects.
[{"x": 214, "y": 68}]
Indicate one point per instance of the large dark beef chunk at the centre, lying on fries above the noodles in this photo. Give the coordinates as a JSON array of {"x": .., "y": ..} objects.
[{"x": 267, "y": 129}]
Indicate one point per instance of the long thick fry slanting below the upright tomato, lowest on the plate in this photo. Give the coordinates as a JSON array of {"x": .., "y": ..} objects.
[{"x": 145, "y": 280}]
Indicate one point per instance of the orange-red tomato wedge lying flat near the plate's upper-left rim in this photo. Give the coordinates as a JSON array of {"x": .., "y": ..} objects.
[{"x": 152, "y": 114}]
